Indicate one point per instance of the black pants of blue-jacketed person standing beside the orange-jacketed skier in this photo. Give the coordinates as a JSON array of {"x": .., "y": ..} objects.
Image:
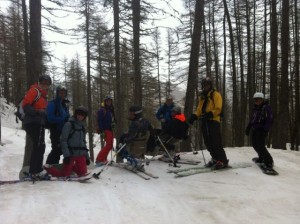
[{"x": 54, "y": 155}]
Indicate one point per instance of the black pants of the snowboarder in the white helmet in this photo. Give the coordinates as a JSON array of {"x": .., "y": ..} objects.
[{"x": 258, "y": 143}]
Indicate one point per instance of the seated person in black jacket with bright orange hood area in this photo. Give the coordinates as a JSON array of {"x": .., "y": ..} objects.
[{"x": 175, "y": 131}]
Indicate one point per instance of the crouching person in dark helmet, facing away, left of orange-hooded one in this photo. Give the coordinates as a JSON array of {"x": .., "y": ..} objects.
[{"x": 135, "y": 139}]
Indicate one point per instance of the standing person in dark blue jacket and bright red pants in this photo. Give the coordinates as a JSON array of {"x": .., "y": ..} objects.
[{"x": 106, "y": 120}]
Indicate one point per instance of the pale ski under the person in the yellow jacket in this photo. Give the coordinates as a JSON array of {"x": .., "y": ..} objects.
[{"x": 207, "y": 170}]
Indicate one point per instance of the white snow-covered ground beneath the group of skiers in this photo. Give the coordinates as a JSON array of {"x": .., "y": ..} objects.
[{"x": 119, "y": 197}]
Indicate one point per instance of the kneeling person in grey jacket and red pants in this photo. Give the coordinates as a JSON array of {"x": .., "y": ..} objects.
[{"x": 73, "y": 145}]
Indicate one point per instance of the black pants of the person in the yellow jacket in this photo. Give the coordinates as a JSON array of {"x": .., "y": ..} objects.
[{"x": 213, "y": 140}]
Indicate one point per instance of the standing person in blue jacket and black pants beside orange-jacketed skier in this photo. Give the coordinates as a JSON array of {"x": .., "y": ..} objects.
[{"x": 57, "y": 115}]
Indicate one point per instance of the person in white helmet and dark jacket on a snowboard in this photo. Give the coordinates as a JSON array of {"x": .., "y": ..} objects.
[{"x": 259, "y": 124}]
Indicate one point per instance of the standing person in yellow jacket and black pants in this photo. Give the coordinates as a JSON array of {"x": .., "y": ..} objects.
[{"x": 209, "y": 112}]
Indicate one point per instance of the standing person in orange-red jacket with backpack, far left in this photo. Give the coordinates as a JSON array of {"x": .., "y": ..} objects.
[{"x": 34, "y": 105}]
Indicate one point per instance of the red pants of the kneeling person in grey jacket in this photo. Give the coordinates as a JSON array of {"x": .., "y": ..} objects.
[{"x": 77, "y": 165}]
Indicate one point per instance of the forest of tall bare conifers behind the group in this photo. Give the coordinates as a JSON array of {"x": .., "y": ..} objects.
[{"x": 243, "y": 45}]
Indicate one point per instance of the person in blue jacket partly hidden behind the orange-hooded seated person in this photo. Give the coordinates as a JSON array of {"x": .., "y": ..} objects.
[{"x": 164, "y": 113}]
